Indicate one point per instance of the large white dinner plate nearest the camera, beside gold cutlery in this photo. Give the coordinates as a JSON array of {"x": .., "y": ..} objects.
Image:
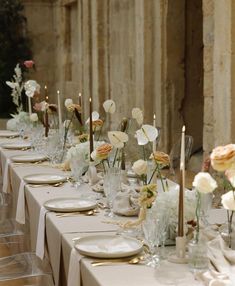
[{"x": 108, "y": 246}]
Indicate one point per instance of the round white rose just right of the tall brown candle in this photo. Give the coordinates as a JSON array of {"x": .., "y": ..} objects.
[{"x": 204, "y": 183}]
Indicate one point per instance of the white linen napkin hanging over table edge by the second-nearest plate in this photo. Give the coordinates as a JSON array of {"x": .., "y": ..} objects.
[{"x": 40, "y": 246}]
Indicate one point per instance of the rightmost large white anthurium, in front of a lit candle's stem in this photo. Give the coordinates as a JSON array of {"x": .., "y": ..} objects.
[{"x": 147, "y": 133}]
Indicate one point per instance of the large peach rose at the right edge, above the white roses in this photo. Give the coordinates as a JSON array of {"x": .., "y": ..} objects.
[{"x": 223, "y": 157}]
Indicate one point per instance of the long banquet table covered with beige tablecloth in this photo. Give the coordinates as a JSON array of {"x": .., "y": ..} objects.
[{"x": 61, "y": 231}]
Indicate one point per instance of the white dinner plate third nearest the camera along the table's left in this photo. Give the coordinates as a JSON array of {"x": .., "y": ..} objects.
[{"x": 44, "y": 179}]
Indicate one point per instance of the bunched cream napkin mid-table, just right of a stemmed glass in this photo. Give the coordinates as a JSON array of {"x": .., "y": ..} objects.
[{"x": 126, "y": 203}]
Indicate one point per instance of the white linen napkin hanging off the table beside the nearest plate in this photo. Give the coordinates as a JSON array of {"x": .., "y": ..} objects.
[{"x": 74, "y": 275}]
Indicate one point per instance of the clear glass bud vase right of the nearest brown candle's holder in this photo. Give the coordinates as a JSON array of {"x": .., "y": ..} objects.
[{"x": 197, "y": 255}]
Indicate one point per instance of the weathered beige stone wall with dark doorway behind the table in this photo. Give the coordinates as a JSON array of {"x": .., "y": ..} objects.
[{"x": 132, "y": 51}]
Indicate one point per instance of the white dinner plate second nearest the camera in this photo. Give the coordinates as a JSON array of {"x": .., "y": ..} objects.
[{"x": 69, "y": 205}]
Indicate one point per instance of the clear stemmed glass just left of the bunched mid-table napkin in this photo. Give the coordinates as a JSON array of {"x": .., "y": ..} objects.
[{"x": 112, "y": 184}]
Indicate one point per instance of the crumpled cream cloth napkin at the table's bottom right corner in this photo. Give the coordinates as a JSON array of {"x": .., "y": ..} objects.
[{"x": 222, "y": 264}]
